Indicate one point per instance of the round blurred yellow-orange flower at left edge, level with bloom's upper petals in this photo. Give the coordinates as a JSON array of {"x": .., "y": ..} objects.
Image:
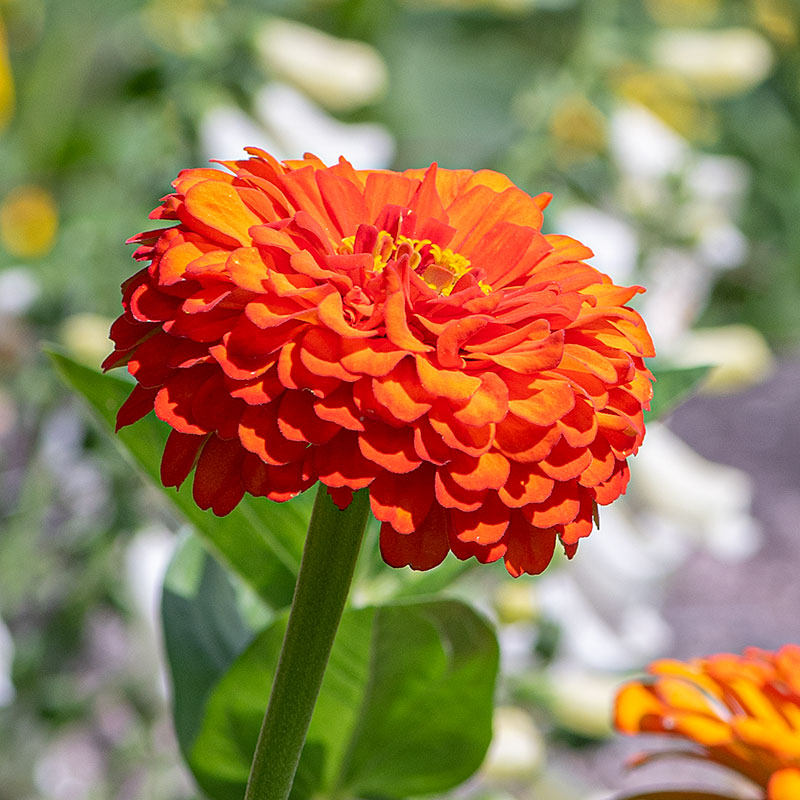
[{"x": 28, "y": 222}]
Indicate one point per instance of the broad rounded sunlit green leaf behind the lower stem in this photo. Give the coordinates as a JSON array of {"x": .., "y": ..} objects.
[{"x": 405, "y": 706}]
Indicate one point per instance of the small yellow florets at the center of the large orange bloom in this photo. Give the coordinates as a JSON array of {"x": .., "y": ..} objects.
[{"x": 439, "y": 267}]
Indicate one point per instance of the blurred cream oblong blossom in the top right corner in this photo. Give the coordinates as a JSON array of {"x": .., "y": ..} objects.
[{"x": 717, "y": 62}]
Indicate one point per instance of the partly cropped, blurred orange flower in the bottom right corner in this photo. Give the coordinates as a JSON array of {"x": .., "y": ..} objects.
[{"x": 741, "y": 712}]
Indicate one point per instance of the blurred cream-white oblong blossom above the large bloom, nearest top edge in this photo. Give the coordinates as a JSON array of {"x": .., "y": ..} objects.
[{"x": 339, "y": 74}]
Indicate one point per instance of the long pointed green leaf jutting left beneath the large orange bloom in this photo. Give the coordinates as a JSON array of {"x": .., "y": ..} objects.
[{"x": 260, "y": 540}]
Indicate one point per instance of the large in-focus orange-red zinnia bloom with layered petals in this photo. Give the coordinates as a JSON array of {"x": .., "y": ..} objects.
[{"x": 411, "y": 332}]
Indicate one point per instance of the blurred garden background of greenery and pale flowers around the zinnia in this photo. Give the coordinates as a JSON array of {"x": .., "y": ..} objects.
[{"x": 669, "y": 132}]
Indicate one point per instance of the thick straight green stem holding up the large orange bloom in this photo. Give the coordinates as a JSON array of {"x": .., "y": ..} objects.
[{"x": 326, "y": 571}]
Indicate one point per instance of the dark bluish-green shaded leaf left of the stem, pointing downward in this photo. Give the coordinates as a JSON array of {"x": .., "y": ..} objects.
[{"x": 203, "y": 632}]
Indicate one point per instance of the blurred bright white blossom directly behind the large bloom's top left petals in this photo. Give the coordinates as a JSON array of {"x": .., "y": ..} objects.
[{"x": 288, "y": 124}]
